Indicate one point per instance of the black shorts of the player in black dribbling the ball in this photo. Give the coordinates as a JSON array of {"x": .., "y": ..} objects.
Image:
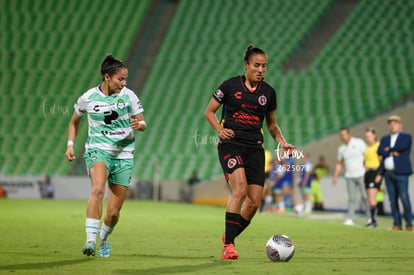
[{"x": 252, "y": 159}]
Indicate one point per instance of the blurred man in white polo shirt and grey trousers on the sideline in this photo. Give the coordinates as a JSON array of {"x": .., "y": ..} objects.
[{"x": 351, "y": 156}]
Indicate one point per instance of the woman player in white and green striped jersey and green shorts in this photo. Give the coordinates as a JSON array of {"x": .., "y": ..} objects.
[{"x": 114, "y": 112}]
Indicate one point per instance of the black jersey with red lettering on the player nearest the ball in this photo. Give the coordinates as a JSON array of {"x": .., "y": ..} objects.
[{"x": 243, "y": 110}]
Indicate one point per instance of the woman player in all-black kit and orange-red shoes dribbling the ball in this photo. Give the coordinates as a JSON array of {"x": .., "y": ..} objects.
[{"x": 247, "y": 102}]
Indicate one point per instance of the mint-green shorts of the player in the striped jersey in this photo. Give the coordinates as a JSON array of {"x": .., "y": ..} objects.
[{"x": 119, "y": 170}]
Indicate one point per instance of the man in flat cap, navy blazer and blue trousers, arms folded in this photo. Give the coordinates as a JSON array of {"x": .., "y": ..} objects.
[{"x": 395, "y": 167}]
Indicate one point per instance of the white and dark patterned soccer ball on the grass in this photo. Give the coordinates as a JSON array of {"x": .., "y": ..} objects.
[{"x": 279, "y": 248}]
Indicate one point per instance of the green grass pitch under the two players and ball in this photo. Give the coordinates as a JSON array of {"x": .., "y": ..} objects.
[{"x": 46, "y": 237}]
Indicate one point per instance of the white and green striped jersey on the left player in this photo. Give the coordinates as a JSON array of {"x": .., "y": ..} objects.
[{"x": 109, "y": 120}]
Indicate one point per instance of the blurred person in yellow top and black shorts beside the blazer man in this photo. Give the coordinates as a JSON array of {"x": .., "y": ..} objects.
[{"x": 372, "y": 162}]
